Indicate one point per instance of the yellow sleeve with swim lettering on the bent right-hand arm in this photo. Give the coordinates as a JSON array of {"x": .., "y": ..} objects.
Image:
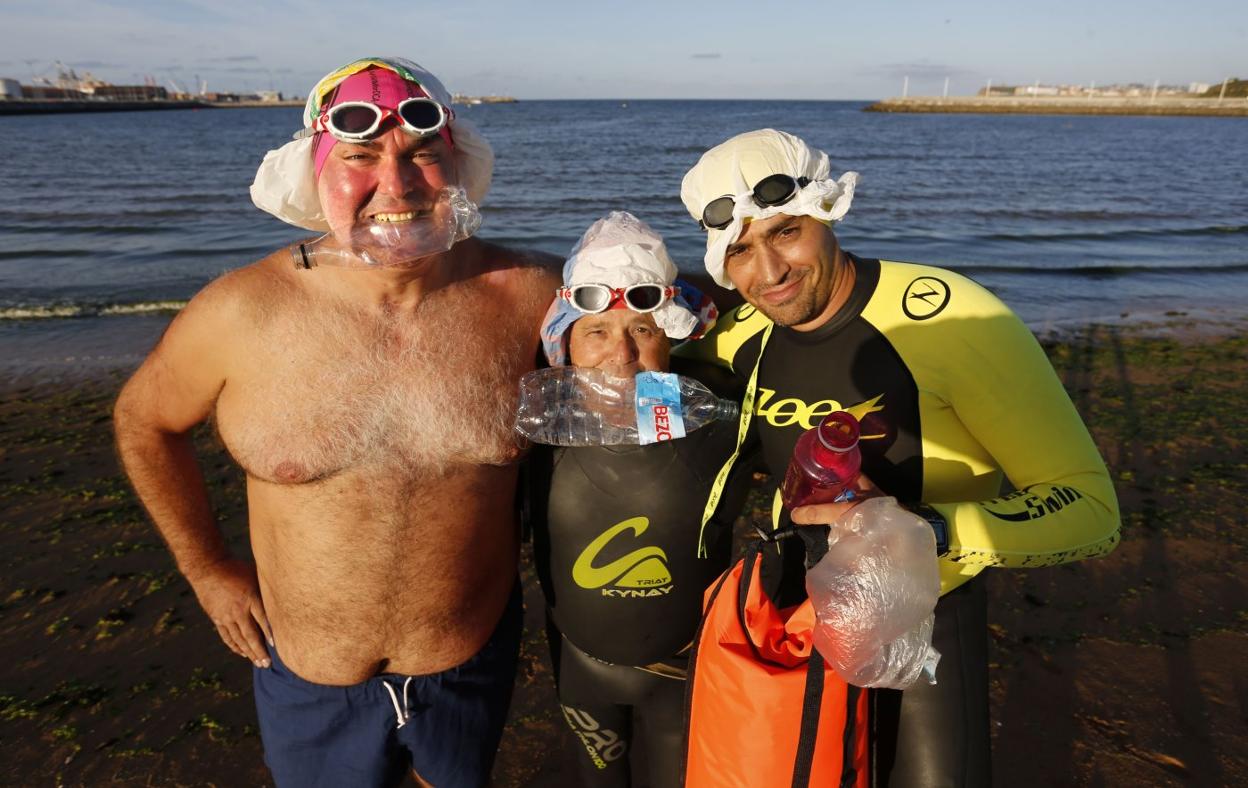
[{"x": 988, "y": 392}]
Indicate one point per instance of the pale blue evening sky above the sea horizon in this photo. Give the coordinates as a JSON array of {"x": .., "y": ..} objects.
[{"x": 645, "y": 49}]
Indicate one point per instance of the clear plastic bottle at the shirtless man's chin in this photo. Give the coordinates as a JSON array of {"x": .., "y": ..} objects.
[{"x": 388, "y": 245}]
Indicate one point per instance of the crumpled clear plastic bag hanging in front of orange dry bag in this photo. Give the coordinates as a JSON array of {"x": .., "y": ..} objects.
[{"x": 874, "y": 596}]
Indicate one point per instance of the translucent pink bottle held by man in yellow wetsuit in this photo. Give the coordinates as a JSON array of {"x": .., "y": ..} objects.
[{"x": 826, "y": 463}]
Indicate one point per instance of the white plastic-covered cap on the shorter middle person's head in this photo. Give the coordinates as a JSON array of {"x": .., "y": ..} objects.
[{"x": 621, "y": 250}]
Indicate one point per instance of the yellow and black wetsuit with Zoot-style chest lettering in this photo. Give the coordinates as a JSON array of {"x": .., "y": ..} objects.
[{"x": 954, "y": 395}]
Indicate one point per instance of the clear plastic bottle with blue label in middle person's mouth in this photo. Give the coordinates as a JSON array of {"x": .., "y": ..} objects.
[{"x": 586, "y": 406}]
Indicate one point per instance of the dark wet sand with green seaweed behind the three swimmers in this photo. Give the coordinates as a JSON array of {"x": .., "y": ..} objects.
[{"x": 1124, "y": 671}]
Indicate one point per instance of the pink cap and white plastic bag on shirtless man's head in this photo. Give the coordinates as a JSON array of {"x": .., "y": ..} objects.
[{"x": 285, "y": 183}]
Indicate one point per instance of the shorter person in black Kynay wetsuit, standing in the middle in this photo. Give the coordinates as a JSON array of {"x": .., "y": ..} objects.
[{"x": 617, "y": 535}]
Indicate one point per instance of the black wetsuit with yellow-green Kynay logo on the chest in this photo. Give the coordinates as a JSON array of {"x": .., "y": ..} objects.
[{"x": 616, "y": 543}]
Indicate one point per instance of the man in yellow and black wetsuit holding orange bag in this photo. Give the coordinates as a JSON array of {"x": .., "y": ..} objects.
[{"x": 955, "y": 396}]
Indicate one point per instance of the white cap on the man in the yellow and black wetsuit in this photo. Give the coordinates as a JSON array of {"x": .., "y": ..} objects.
[{"x": 732, "y": 169}]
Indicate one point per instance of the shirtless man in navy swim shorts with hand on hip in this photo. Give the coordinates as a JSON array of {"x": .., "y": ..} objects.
[{"x": 369, "y": 398}]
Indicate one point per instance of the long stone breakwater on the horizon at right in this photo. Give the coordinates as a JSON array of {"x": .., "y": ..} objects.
[{"x": 1064, "y": 106}]
